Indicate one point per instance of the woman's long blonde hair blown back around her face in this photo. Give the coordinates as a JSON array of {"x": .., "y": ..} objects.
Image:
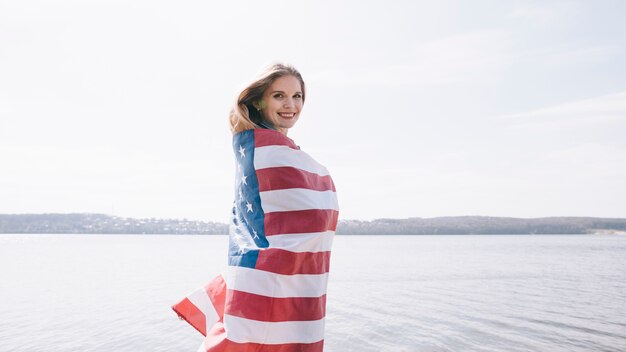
[{"x": 243, "y": 115}]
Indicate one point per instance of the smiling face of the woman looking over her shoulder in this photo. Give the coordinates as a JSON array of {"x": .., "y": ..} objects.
[{"x": 282, "y": 102}]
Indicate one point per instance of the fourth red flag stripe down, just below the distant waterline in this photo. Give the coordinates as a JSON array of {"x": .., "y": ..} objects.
[{"x": 284, "y": 262}]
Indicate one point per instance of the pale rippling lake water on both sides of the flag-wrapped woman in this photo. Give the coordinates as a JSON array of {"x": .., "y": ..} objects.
[{"x": 386, "y": 293}]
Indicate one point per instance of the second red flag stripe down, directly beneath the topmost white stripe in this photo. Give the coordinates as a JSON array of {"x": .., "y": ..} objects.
[{"x": 275, "y": 178}]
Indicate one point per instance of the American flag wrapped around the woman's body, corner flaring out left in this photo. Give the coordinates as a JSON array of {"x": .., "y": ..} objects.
[{"x": 273, "y": 297}]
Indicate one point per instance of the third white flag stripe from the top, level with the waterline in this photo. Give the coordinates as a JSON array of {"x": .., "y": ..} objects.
[{"x": 303, "y": 242}]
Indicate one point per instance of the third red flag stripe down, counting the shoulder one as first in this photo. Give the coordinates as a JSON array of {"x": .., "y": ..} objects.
[{"x": 300, "y": 221}]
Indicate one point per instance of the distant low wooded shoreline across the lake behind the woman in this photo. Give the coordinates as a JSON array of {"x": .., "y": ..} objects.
[{"x": 85, "y": 223}]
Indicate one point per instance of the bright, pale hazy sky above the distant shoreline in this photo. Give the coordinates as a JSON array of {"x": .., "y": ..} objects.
[{"x": 417, "y": 108}]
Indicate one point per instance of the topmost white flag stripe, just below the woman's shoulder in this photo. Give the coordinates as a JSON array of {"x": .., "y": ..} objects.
[{"x": 278, "y": 155}]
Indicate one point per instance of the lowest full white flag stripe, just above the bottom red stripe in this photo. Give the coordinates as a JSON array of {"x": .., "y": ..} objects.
[{"x": 243, "y": 330}]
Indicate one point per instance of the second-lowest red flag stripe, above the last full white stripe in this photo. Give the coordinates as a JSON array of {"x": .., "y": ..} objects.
[{"x": 272, "y": 309}]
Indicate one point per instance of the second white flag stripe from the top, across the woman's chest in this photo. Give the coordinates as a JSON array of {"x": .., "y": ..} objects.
[{"x": 297, "y": 199}]
